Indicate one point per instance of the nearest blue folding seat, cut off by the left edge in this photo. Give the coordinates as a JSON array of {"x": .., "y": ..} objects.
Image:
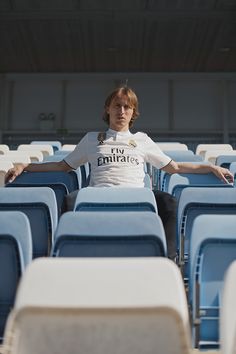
[{"x": 15, "y": 255}]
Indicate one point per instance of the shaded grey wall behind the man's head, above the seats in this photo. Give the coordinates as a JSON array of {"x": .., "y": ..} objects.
[{"x": 171, "y": 105}]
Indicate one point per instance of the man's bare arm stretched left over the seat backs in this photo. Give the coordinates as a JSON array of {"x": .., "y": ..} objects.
[{"x": 36, "y": 167}]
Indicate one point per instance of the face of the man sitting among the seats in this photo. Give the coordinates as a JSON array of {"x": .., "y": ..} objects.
[{"x": 120, "y": 113}]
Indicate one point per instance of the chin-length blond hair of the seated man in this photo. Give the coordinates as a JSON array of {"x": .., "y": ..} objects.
[{"x": 132, "y": 101}]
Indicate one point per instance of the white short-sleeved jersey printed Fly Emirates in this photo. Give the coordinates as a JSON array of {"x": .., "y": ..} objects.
[{"x": 118, "y": 160}]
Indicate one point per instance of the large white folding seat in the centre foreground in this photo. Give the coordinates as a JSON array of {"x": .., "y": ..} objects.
[{"x": 100, "y": 305}]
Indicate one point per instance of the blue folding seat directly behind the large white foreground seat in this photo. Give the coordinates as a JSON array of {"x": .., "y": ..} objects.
[{"x": 109, "y": 234}]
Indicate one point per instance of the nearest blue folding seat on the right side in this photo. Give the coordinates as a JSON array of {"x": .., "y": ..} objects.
[{"x": 212, "y": 249}]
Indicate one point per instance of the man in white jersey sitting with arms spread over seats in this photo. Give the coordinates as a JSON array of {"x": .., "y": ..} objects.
[{"x": 117, "y": 158}]
